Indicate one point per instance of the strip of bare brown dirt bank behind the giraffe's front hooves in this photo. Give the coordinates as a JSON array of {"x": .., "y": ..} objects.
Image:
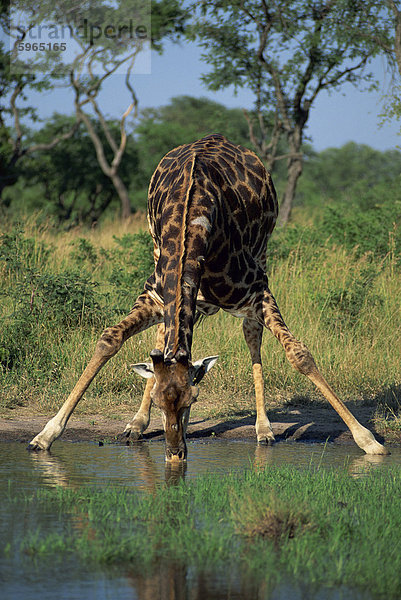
[{"x": 305, "y": 423}]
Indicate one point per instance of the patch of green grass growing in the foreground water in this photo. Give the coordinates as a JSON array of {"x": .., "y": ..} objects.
[{"x": 316, "y": 527}]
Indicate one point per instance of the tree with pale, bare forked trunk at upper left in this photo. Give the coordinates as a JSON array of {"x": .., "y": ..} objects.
[{"x": 106, "y": 38}]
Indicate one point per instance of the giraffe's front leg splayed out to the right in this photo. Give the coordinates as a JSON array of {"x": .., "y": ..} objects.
[{"x": 302, "y": 360}]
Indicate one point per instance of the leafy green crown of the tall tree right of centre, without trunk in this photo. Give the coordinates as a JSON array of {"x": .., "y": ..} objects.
[{"x": 306, "y": 44}]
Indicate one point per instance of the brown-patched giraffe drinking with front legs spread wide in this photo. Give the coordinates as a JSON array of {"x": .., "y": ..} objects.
[{"x": 211, "y": 210}]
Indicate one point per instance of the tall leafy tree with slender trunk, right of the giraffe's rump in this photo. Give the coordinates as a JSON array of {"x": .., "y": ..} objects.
[{"x": 287, "y": 52}]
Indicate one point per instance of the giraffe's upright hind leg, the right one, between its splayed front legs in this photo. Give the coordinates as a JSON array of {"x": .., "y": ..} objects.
[{"x": 253, "y": 332}]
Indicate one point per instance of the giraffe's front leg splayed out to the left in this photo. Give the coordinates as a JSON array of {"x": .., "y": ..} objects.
[{"x": 144, "y": 314}]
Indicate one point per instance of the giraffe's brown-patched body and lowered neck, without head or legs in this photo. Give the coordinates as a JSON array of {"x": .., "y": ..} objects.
[{"x": 211, "y": 209}]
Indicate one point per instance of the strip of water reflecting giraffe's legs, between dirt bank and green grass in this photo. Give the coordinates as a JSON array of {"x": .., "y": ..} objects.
[{"x": 142, "y": 465}]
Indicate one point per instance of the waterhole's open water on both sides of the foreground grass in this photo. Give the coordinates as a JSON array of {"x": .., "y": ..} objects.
[{"x": 142, "y": 467}]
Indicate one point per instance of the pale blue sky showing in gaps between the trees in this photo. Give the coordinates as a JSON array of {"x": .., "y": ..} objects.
[{"x": 343, "y": 116}]
